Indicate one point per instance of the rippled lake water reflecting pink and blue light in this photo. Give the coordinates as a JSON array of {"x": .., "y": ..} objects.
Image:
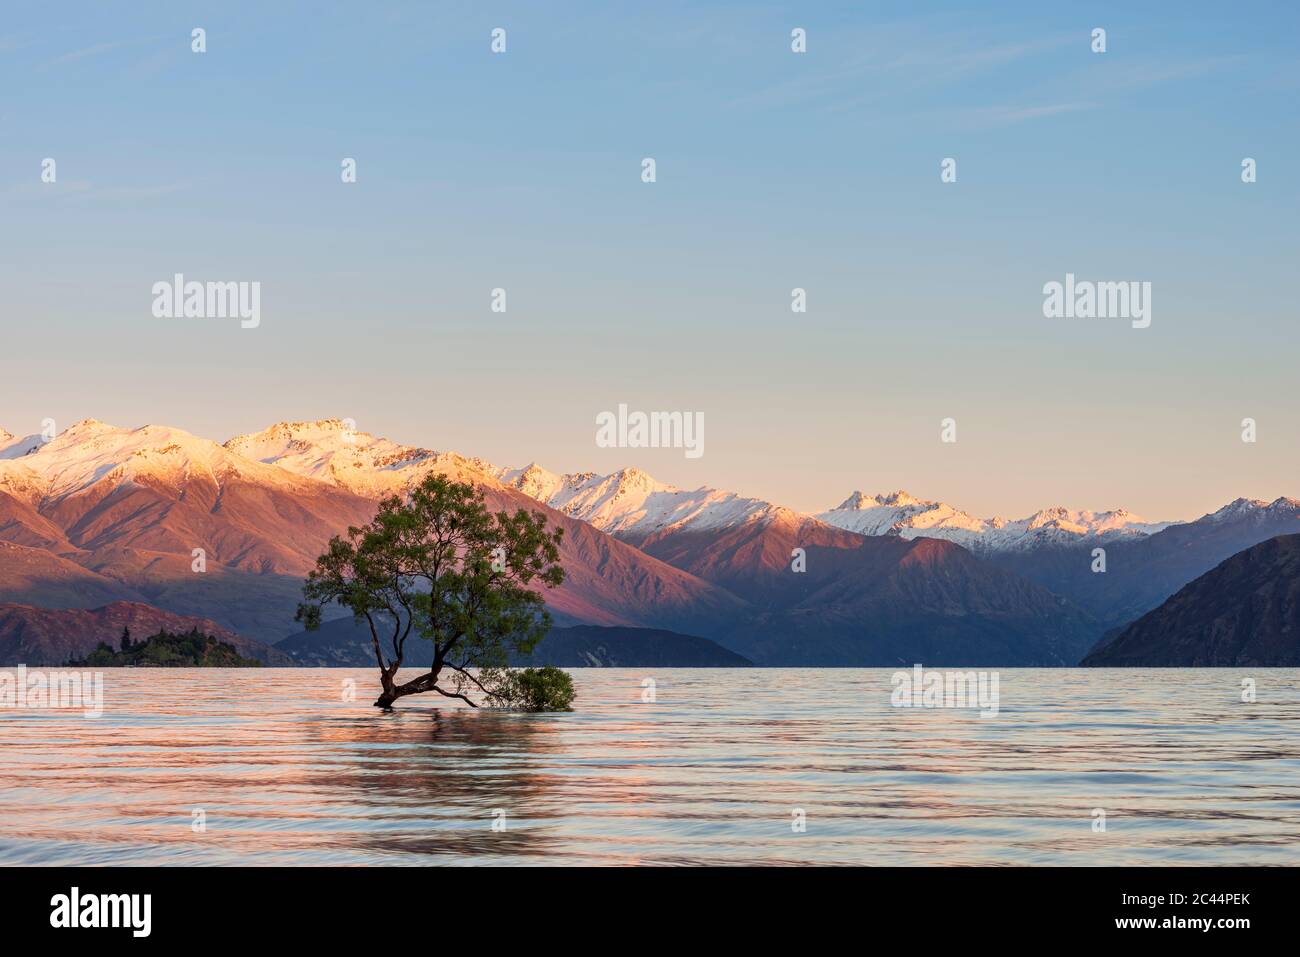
[{"x": 285, "y": 770}]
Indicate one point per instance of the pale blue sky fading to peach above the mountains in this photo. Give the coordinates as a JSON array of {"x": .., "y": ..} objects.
[{"x": 774, "y": 171}]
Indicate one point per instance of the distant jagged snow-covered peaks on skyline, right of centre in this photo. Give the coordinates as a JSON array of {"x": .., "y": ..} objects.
[{"x": 904, "y": 516}]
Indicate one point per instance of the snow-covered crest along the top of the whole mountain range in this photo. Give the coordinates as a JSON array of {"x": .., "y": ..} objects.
[{"x": 629, "y": 504}]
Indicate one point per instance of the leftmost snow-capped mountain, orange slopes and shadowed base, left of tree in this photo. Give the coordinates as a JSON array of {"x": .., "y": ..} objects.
[{"x": 102, "y": 514}]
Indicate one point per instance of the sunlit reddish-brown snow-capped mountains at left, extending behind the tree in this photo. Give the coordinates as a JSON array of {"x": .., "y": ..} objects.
[{"x": 102, "y": 514}]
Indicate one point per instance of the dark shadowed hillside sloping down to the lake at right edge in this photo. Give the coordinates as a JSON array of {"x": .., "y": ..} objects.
[{"x": 1243, "y": 613}]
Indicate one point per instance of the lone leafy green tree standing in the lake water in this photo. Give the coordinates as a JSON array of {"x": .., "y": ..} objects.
[{"x": 441, "y": 569}]
